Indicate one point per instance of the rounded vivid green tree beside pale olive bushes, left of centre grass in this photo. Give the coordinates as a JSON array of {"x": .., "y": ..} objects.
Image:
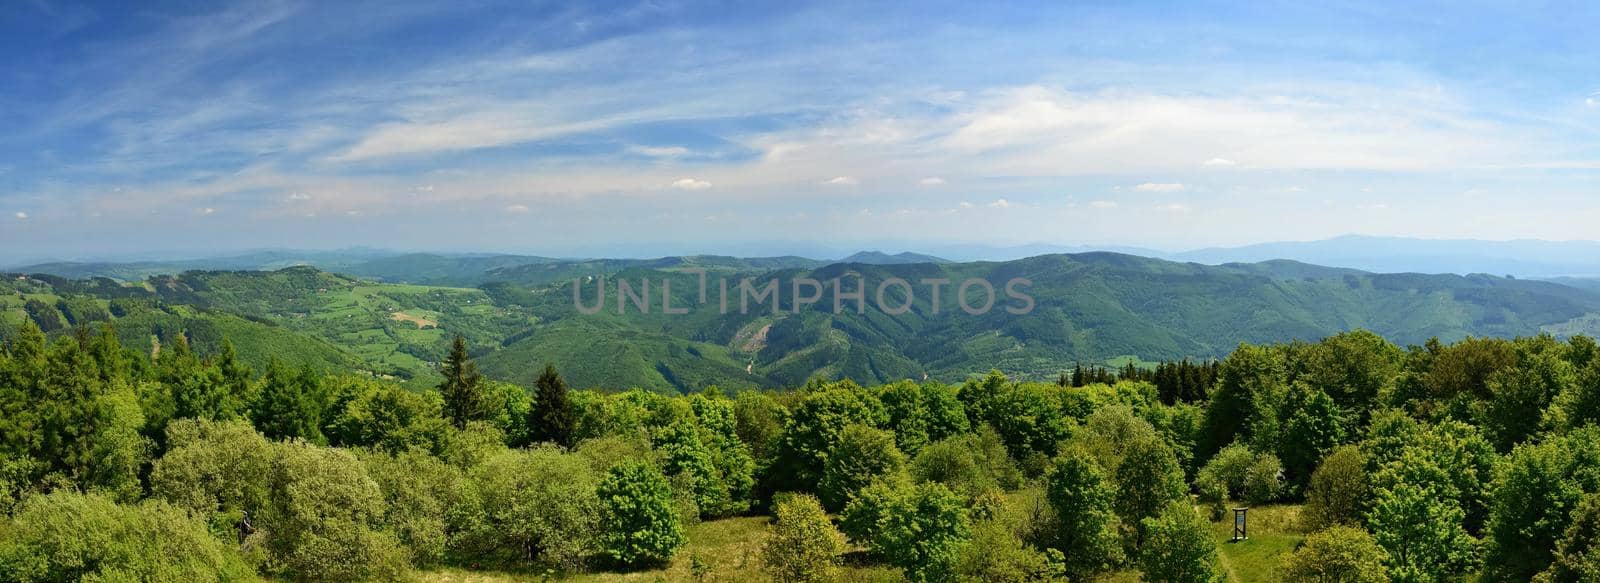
[{"x": 638, "y": 523}]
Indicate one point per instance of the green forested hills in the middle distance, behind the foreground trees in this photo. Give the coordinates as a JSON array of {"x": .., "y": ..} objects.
[{"x": 1092, "y": 308}]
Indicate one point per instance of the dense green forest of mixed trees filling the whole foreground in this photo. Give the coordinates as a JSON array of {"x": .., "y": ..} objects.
[{"x": 1359, "y": 462}]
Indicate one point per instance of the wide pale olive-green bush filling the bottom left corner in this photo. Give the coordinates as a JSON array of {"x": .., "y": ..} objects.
[{"x": 73, "y": 537}]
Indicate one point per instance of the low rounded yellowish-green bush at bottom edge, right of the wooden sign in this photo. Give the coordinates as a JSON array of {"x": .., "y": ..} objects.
[{"x": 1338, "y": 555}]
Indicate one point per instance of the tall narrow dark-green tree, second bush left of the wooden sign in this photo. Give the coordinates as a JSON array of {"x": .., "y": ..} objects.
[{"x": 1086, "y": 526}]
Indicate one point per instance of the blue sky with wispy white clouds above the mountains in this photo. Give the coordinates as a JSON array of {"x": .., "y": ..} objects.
[{"x": 663, "y": 127}]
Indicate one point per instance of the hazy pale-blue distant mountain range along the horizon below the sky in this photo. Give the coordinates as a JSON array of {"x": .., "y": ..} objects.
[{"x": 1388, "y": 255}]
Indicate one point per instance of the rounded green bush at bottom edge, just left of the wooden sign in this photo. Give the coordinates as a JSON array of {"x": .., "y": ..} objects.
[{"x": 1178, "y": 547}]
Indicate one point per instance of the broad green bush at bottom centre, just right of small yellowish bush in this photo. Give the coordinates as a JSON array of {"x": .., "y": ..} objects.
[{"x": 921, "y": 529}]
